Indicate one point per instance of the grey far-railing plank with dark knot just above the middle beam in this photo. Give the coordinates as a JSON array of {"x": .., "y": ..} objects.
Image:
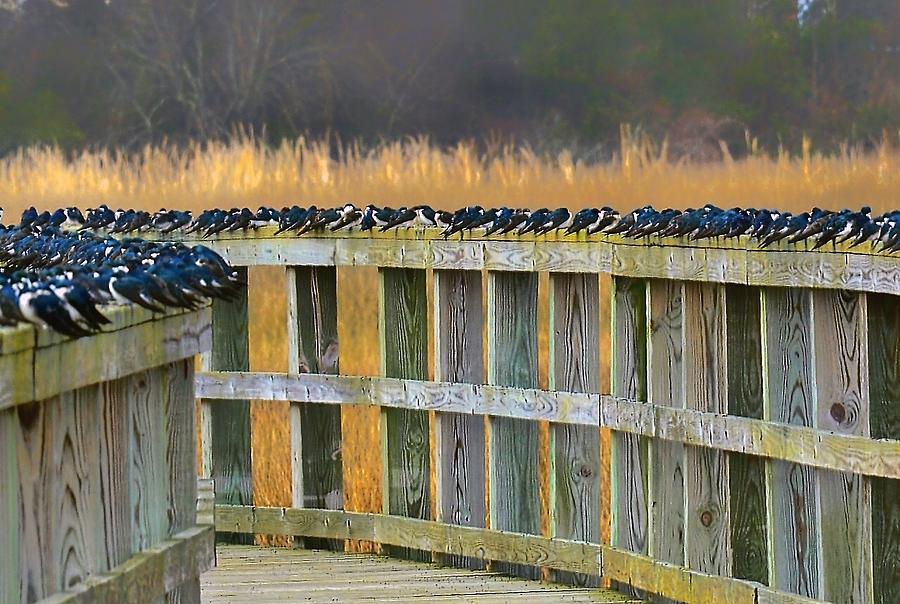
[{"x": 842, "y": 402}]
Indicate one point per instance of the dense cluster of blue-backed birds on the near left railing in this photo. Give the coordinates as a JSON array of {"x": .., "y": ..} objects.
[{"x": 61, "y": 279}]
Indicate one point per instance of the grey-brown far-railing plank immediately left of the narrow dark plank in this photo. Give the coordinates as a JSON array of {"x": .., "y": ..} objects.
[{"x": 708, "y": 506}]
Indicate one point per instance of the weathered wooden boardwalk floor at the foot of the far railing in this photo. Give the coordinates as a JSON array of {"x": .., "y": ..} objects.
[{"x": 258, "y": 574}]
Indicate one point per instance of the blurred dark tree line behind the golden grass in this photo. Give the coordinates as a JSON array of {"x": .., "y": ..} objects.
[{"x": 563, "y": 73}]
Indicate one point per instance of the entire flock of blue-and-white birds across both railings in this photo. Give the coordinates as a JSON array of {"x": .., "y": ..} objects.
[{"x": 57, "y": 268}]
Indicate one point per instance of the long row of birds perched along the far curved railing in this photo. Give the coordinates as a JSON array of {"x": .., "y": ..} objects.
[{"x": 764, "y": 226}]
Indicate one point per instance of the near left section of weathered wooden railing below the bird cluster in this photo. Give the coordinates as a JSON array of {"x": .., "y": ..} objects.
[{"x": 98, "y": 489}]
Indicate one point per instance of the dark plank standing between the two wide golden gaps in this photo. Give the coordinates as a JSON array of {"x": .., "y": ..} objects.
[{"x": 317, "y": 474}]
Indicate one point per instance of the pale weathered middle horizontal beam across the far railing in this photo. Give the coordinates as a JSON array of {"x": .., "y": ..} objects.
[{"x": 807, "y": 446}]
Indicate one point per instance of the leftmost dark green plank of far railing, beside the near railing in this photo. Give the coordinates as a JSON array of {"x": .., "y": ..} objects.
[{"x": 229, "y": 423}]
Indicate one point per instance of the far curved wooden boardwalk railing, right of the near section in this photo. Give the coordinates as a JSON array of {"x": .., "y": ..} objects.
[{"x": 754, "y": 411}]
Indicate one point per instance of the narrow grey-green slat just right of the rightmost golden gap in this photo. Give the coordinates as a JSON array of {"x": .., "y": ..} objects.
[{"x": 629, "y": 380}]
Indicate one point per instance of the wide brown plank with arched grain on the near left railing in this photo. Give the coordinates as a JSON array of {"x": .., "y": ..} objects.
[{"x": 60, "y": 530}]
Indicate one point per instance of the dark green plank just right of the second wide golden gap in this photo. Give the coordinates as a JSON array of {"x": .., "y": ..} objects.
[{"x": 405, "y": 437}]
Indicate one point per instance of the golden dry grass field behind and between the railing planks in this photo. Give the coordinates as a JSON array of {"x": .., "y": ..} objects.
[{"x": 246, "y": 173}]
